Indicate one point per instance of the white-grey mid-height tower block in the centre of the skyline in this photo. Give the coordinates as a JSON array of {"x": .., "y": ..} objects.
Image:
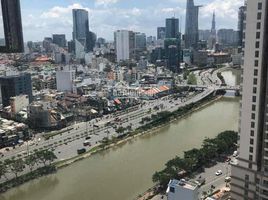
[{"x": 124, "y": 44}]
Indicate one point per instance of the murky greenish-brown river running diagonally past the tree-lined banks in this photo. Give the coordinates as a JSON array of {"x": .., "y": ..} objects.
[{"x": 125, "y": 171}]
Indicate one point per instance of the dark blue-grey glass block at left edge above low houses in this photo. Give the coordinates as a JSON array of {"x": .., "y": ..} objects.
[{"x": 15, "y": 85}]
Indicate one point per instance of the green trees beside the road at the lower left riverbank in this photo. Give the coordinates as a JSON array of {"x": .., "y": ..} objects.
[{"x": 33, "y": 161}]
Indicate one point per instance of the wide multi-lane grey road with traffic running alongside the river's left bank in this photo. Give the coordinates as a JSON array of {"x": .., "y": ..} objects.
[{"x": 65, "y": 145}]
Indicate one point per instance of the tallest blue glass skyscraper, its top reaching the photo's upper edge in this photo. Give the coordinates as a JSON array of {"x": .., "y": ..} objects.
[{"x": 191, "y": 25}]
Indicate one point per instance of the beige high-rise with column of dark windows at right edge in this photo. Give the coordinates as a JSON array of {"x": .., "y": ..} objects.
[{"x": 250, "y": 175}]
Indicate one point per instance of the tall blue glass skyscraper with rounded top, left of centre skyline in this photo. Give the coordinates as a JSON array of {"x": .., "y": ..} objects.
[{"x": 80, "y": 30}]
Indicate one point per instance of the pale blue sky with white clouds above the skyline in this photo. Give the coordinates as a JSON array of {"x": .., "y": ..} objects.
[{"x": 43, "y": 18}]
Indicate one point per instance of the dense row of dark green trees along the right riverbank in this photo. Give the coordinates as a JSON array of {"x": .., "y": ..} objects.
[{"x": 196, "y": 159}]
